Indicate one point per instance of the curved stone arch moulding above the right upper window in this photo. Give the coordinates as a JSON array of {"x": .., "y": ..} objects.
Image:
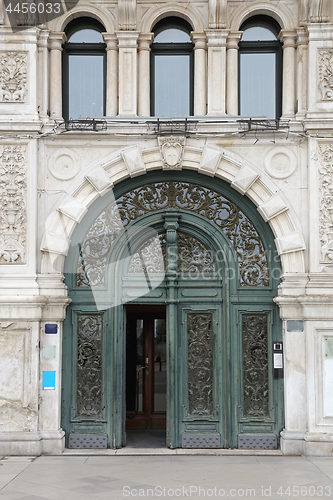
[{"x": 246, "y": 10}]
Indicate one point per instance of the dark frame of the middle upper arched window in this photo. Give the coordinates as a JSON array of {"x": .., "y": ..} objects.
[{"x": 170, "y": 48}]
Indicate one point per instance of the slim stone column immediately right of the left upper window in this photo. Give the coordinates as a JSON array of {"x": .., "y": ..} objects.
[{"x": 111, "y": 74}]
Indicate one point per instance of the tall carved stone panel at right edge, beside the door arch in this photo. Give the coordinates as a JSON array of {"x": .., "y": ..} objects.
[{"x": 326, "y": 204}]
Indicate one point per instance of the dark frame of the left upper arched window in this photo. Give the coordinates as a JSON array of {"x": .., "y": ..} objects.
[{"x": 81, "y": 49}]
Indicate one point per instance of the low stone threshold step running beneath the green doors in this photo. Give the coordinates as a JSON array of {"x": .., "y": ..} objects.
[{"x": 126, "y": 451}]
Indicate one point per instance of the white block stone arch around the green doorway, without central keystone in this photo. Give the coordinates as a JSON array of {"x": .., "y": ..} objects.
[{"x": 209, "y": 160}]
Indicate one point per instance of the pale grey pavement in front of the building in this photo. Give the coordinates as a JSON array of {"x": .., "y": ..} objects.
[{"x": 80, "y": 477}]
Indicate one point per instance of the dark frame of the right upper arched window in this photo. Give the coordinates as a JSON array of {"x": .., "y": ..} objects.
[{"x": 263, "y": 47}]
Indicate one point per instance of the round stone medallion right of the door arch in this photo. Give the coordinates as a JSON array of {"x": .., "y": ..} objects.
[{"x": 280, "y": 162}]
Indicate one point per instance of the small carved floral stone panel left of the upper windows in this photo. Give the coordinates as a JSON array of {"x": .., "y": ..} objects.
[{"x": 13, "y": 76}]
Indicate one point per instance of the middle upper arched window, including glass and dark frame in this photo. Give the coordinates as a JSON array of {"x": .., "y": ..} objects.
[{"x": 172, "y": 69}]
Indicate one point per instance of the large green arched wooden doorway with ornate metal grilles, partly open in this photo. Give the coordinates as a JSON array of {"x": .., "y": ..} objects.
[{"x": 199, "y": 253}]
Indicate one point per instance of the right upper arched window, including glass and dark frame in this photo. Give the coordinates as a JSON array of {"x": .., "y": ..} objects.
[{"x": 260, "y": 68}]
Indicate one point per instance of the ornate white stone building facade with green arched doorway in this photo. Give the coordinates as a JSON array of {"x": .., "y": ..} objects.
[{"x": 84, "y": 200}]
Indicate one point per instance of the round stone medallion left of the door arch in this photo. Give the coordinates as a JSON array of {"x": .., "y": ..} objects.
[{"x": 64, "y": 164}]
